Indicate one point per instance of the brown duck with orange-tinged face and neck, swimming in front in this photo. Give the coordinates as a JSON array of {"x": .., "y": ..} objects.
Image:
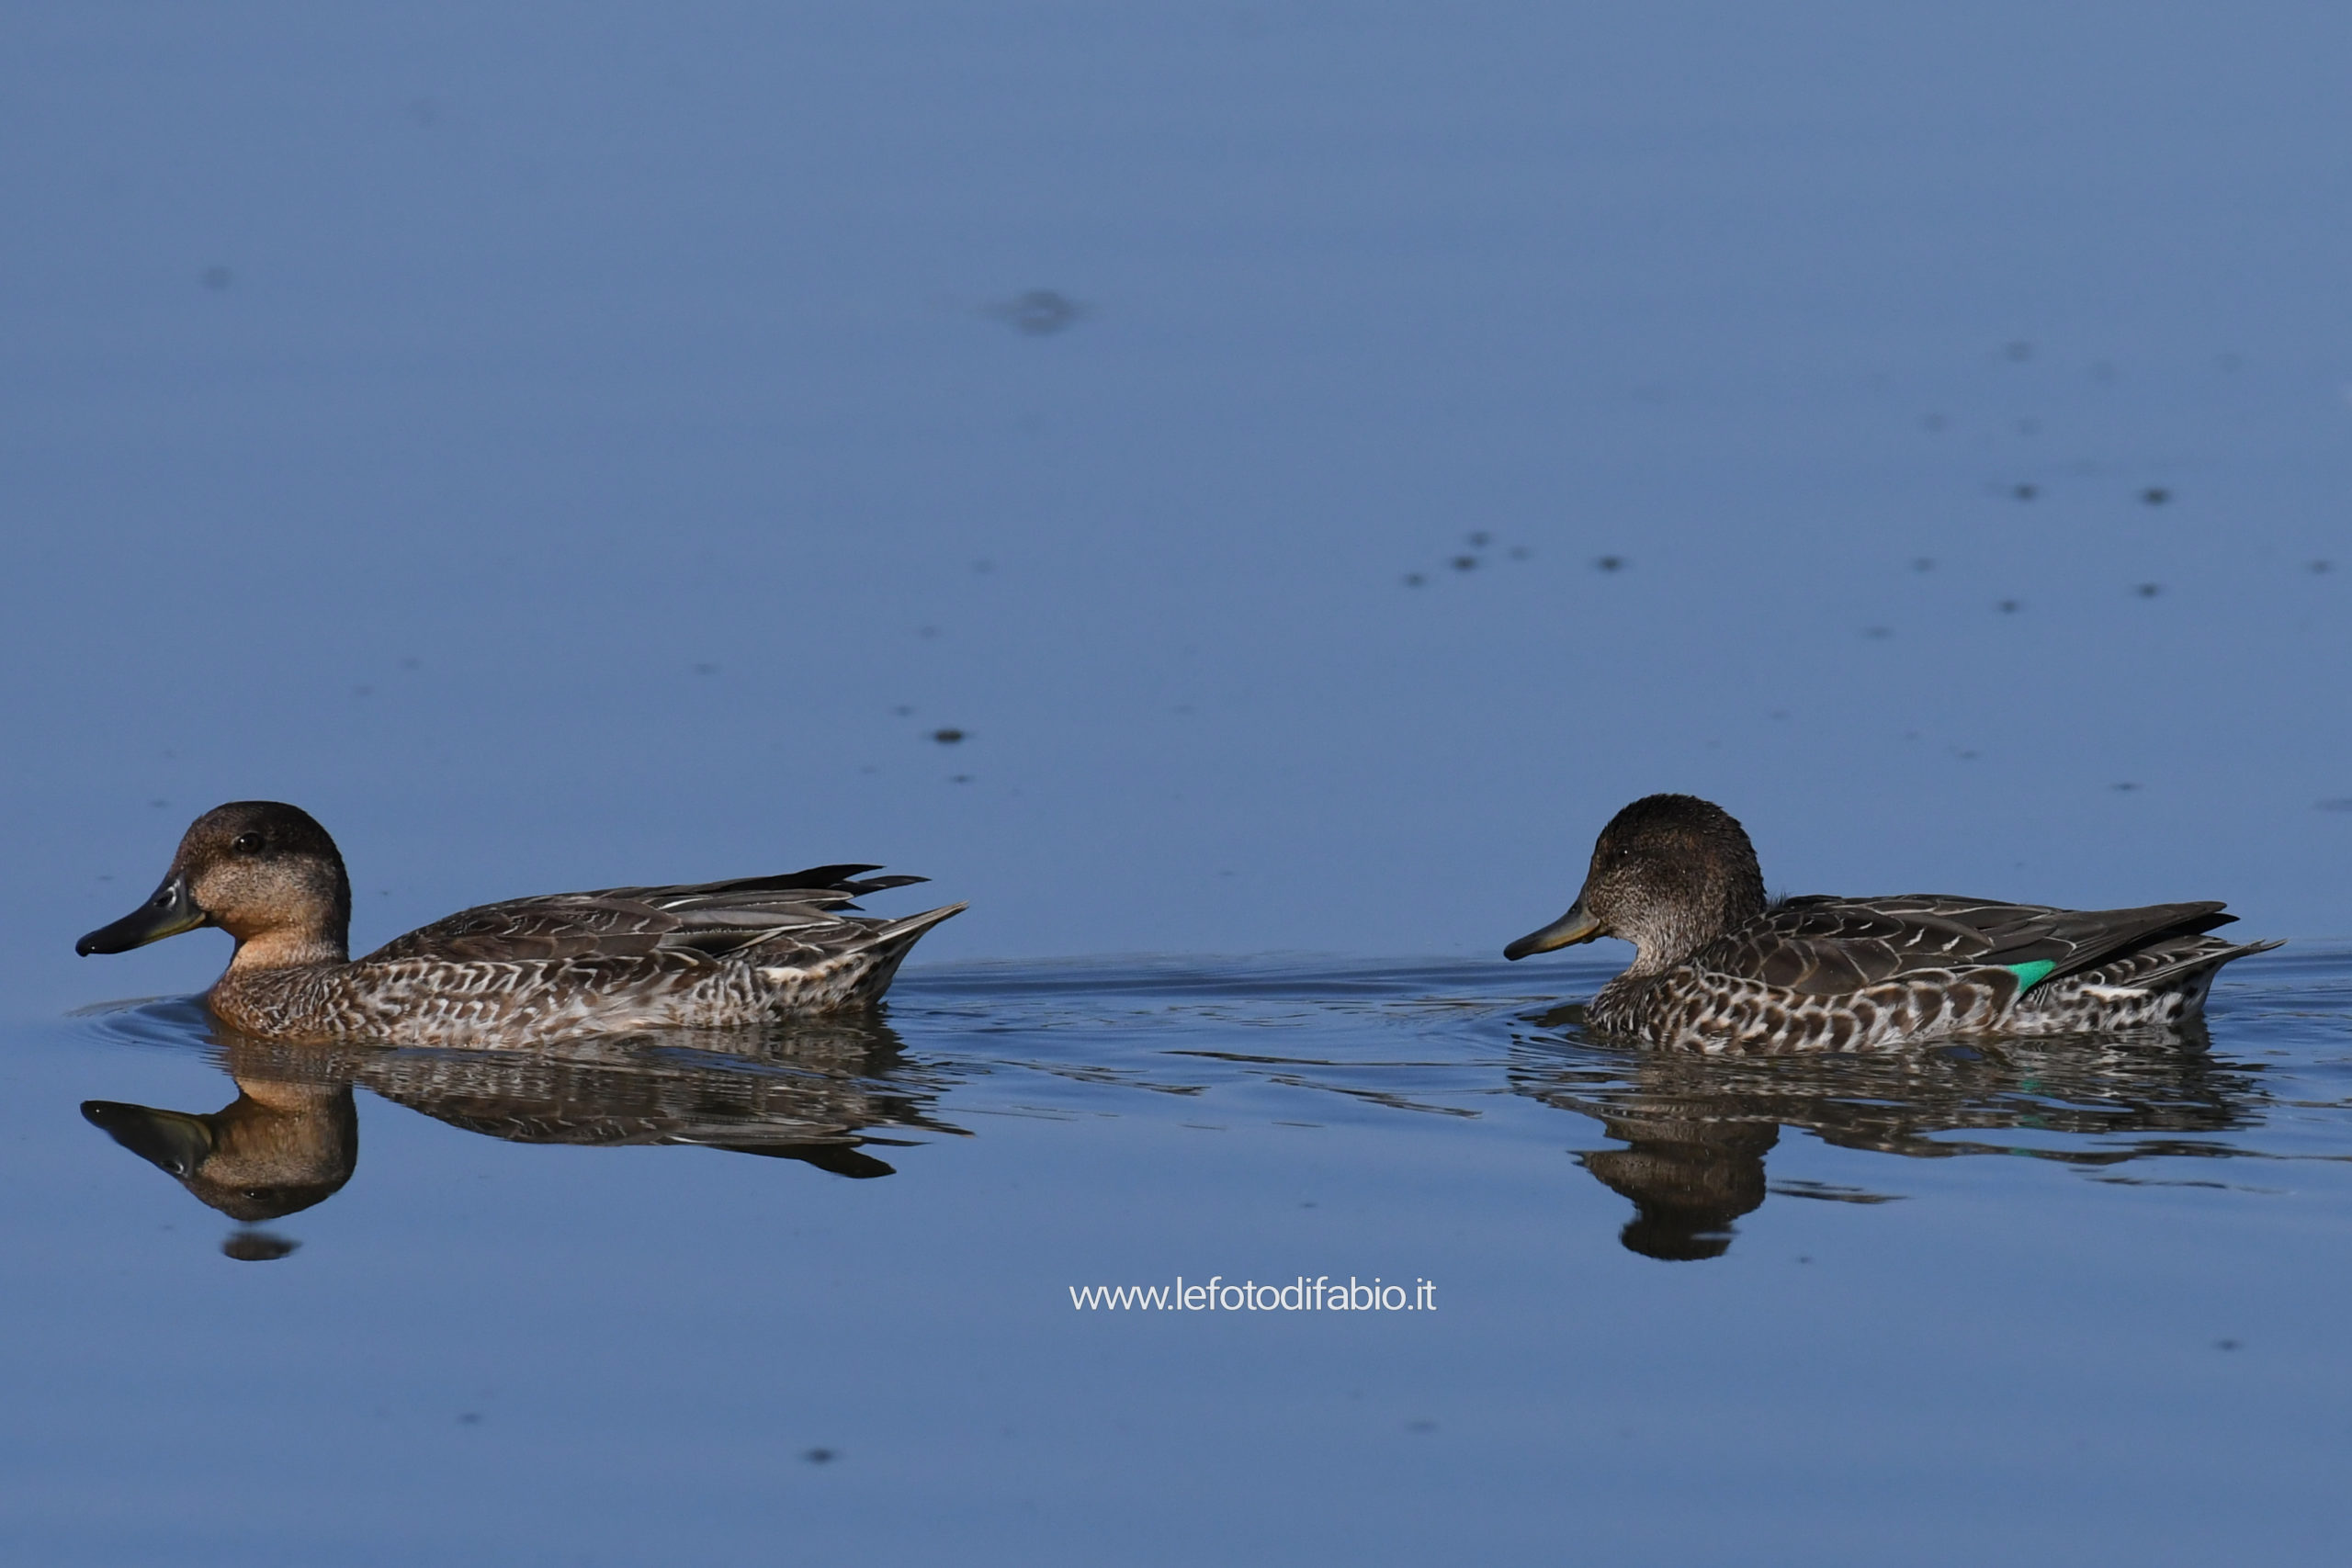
[{"x": 521, "y": 972}]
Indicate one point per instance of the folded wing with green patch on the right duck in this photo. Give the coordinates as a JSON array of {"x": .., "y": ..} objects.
[{"x": 1836, "y": 946}]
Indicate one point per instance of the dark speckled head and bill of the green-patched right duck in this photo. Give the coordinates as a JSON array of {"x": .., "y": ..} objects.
[{"x": 1669, "y": 876}]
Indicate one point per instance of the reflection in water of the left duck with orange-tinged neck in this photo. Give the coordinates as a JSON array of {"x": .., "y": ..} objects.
[{"x": 799, "y": 1090}]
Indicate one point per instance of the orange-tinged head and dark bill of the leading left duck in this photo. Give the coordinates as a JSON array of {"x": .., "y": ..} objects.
[{"x": 255, "y": 869}]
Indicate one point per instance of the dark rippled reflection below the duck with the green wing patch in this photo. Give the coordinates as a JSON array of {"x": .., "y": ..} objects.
[{"x": 1697, "y": 1130}]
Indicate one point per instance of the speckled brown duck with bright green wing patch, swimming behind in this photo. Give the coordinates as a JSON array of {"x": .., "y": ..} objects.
[{"x": 1720, "y": 967}]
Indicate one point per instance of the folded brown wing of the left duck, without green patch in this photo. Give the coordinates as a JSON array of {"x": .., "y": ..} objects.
[{"x": 707, "y": 918}]
